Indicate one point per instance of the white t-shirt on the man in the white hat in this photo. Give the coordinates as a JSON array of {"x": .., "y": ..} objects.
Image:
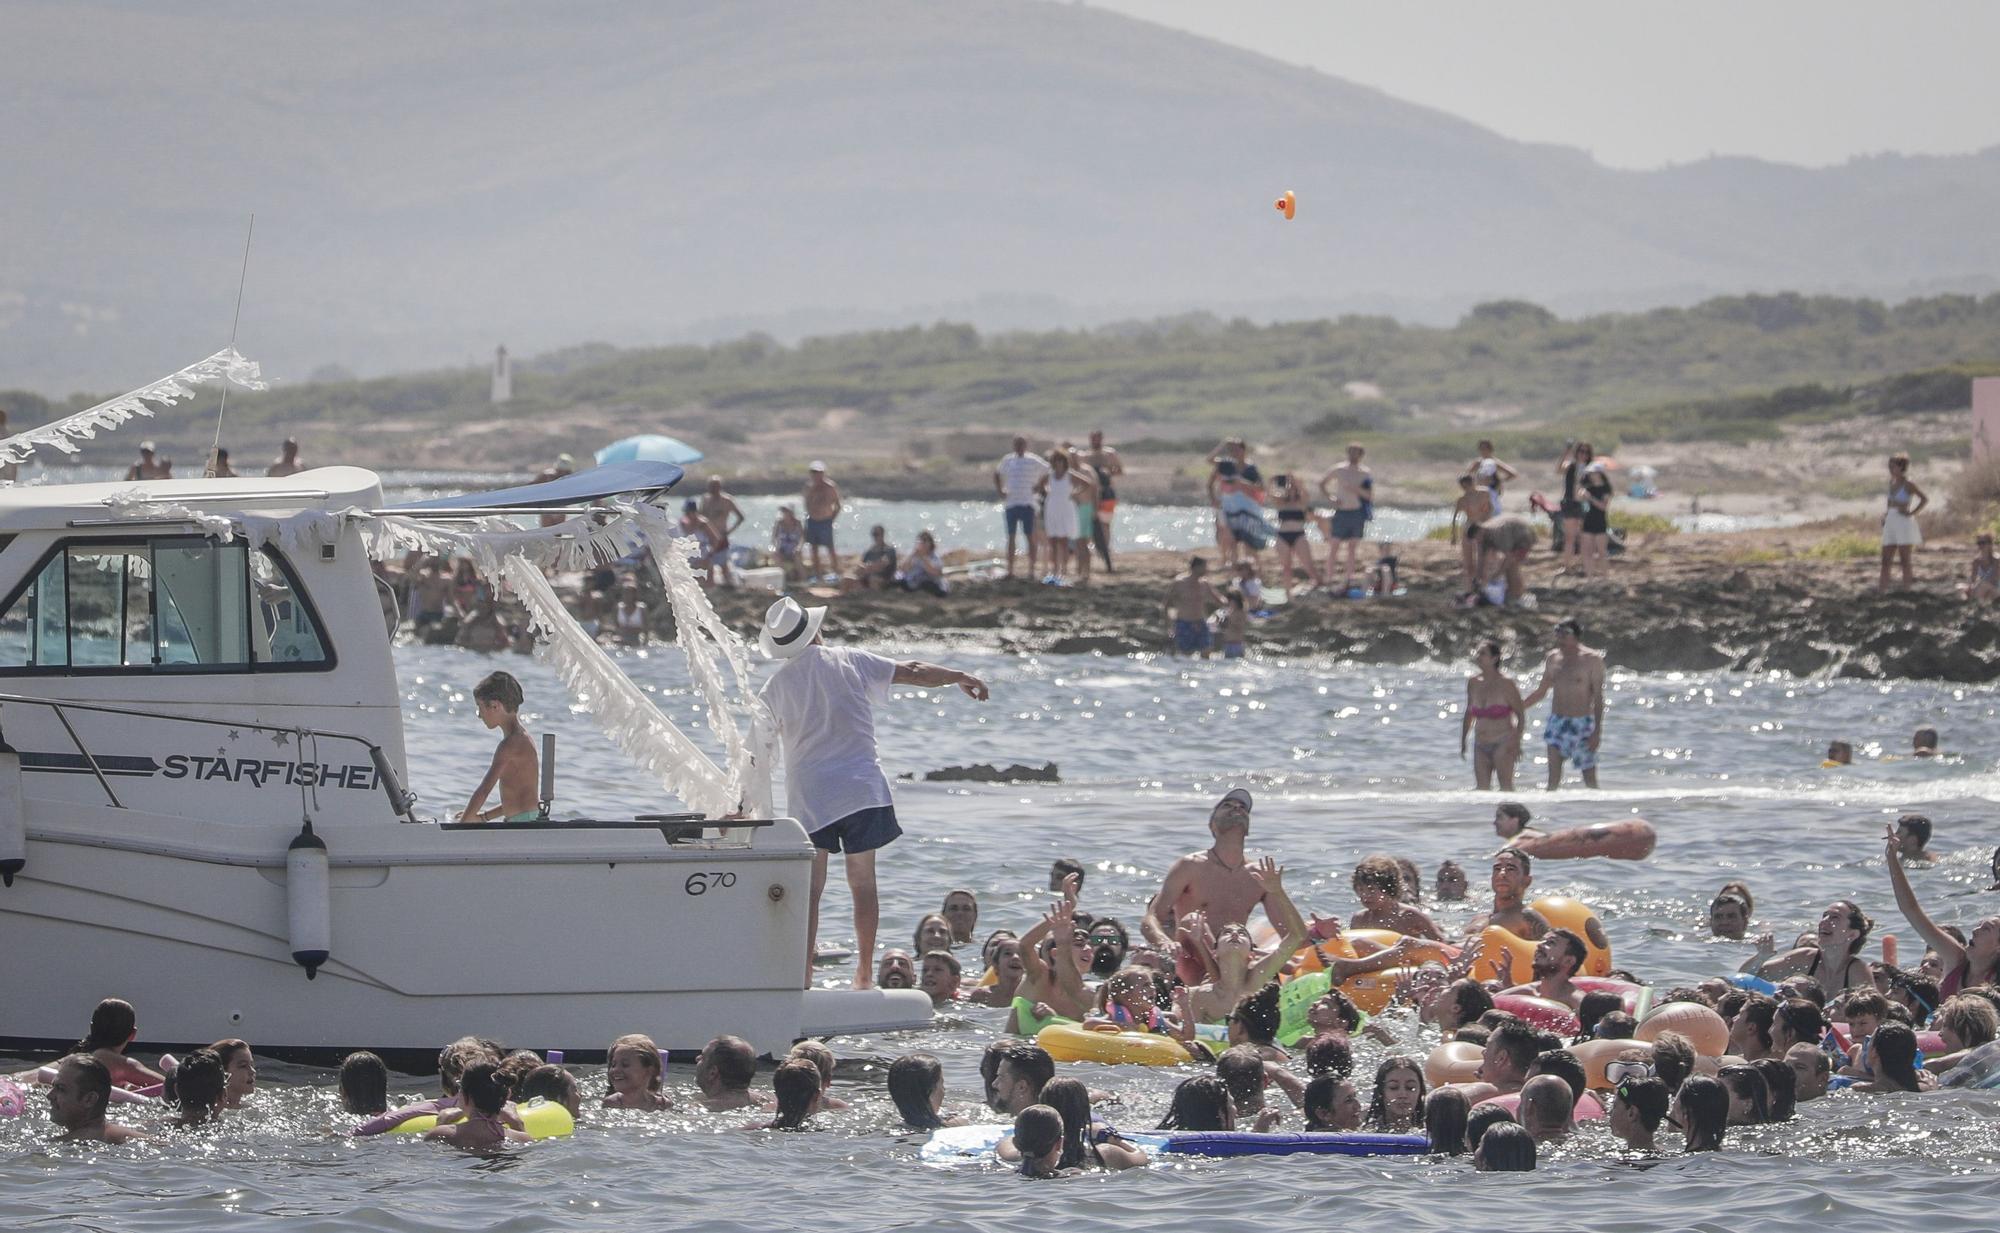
[{"x": 825, "y": 710}]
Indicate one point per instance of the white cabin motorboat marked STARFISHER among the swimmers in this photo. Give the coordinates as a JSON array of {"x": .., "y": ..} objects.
[{"x": 203, "y": 812}]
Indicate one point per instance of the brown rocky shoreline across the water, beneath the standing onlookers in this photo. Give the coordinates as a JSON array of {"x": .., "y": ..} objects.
[{"x": 1687, "y": 603}]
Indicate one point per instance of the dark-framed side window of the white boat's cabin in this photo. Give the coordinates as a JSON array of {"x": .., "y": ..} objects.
[{"x": 183, "y": 603}]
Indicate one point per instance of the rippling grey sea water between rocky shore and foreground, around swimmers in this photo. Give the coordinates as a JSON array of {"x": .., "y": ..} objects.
[{"x": 1345, "y": 762}]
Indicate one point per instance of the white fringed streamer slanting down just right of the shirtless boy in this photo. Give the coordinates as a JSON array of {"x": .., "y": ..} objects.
[{"x": 627, "y": 714}]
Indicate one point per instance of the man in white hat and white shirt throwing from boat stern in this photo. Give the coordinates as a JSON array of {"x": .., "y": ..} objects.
[{"x": 823, "y": 700}]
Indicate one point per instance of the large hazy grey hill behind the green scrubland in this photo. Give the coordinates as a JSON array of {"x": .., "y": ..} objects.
[{"x": 441, "y": 177}]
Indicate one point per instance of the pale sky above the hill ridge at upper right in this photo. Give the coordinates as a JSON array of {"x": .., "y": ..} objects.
[{"x": 1643, "y": 83}]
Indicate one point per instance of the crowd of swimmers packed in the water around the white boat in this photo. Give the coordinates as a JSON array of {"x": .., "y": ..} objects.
[{"x": 1803, "y": 1022}]
